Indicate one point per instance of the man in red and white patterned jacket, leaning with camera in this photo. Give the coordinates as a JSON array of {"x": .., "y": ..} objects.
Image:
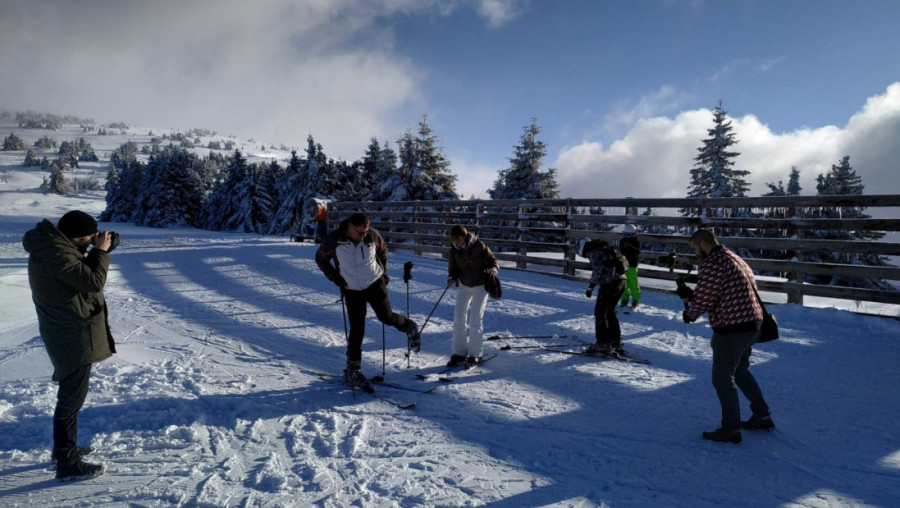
[{"x": 726, "y": 289}]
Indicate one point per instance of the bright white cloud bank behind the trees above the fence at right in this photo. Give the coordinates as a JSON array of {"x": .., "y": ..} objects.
[{"x": 654, "y": 158}]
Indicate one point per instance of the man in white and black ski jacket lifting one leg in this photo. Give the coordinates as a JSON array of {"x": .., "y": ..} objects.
[{"x": 354, "y": 258}]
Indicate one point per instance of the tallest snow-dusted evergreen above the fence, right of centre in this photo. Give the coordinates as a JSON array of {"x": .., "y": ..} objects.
[{"x": 713, "y": 174}]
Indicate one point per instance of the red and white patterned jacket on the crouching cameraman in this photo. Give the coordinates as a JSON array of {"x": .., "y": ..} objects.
[{"x": 726, "y": 289}]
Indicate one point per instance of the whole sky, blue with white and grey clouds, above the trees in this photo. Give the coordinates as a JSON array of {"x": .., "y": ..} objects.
[{"x": 623, "y": 90}]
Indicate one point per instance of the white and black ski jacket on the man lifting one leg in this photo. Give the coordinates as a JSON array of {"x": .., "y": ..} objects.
[{"x": 359, "y": 264}]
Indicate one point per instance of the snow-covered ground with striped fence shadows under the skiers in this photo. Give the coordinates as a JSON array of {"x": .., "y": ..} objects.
[{"x": 213, "y": 400}]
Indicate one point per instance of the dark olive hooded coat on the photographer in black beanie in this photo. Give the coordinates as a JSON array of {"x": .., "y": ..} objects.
[{"x": 67, "y": 290}]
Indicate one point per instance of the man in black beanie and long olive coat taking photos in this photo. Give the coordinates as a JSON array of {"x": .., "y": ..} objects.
[{"x": 67, "y": 284}]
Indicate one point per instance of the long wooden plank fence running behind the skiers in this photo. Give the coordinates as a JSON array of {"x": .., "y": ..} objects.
[{"x": 540, "y": 235}]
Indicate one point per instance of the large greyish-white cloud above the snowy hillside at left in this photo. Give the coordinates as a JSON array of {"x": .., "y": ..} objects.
[{"x": 276, "y": 71}]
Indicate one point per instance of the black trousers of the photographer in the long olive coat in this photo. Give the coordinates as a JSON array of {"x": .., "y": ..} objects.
[{"x": 69, "y": 400}]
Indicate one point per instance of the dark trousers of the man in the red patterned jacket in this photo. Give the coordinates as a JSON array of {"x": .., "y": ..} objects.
[{"x": 731, "y": 370}]
